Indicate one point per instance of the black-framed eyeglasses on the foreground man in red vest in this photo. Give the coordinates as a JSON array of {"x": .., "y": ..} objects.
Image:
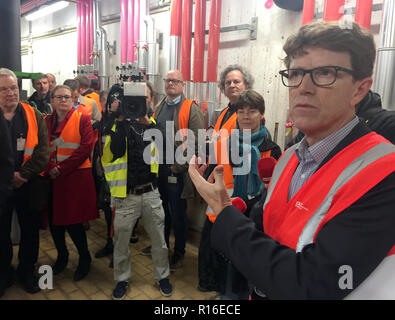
[{"x": 321, "y": 76}]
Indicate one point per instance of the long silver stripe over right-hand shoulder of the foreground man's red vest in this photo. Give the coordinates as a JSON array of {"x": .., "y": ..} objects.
[{"x": 364, "y": 160}]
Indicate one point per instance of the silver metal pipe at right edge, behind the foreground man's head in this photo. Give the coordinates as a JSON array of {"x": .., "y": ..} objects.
[{"x": 385, "y": 68}]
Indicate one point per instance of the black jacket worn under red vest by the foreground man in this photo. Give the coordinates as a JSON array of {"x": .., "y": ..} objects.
[{"x": 360, "y": 236}]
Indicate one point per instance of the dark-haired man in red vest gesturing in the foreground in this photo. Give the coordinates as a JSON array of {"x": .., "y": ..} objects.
[{"x": 328, "y": 222}]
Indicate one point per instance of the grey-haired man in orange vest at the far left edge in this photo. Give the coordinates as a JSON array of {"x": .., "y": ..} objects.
[{"x": 30, "y": 154}]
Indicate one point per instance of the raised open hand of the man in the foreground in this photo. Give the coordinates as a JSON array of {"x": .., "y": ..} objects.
[{"x": 213, "y": 190}]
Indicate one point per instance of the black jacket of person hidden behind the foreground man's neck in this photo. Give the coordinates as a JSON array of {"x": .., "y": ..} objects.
[{"x": 380, "y": 120}]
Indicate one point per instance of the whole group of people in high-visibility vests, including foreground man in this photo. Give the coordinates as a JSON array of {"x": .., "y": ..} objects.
[{"x": 328, "y": 205}]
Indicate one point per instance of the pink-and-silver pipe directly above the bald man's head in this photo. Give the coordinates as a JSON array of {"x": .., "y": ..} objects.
[{"x": 175, "y": 34}]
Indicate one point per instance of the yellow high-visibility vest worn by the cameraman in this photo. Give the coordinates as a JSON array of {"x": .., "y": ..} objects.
[{"x": 116, "y": 172}]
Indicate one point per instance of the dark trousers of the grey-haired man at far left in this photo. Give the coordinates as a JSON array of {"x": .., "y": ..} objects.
[{"x": 29, "y": 222}]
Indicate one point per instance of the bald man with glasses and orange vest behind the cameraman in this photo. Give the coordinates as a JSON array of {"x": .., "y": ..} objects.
[{"x": 178, "y": 114}]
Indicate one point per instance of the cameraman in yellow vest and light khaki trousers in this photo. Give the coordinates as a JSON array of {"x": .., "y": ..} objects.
[{"x": 138, "y": 197}]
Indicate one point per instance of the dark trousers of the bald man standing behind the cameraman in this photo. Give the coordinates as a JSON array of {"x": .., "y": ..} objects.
[{"x": 175, "y": 210}]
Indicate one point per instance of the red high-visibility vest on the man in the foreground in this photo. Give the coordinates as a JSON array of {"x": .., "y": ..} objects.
[{"x": 347, "y": 177}]
